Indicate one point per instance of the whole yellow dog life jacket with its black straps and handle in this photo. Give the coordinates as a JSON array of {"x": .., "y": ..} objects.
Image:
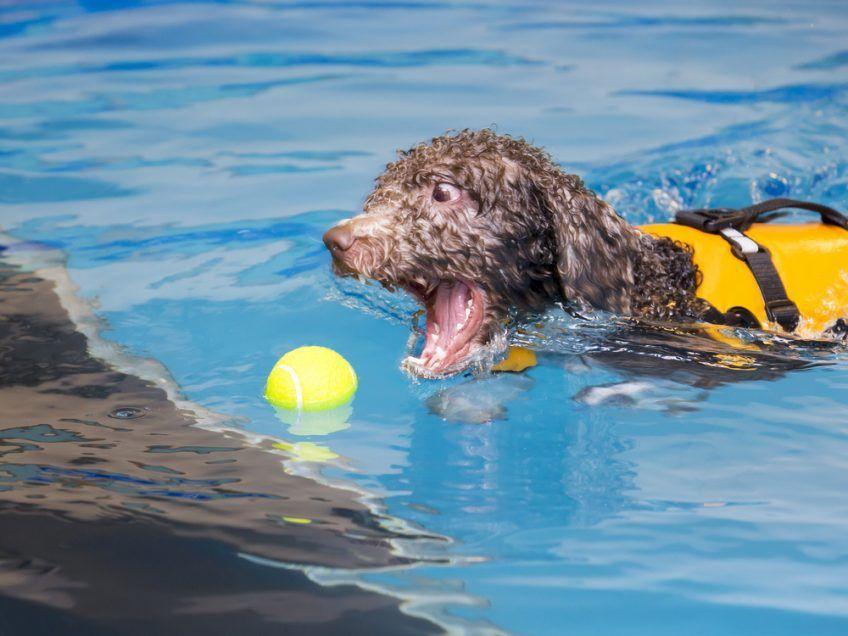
[{"x": 755, "y": 274}]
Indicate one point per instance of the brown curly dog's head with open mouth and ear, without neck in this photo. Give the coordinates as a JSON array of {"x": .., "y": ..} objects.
[{"x": 475, "y": 225}]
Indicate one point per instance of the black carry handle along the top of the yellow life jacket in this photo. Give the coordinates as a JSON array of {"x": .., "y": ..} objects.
[{"x": 714, "y": 220}]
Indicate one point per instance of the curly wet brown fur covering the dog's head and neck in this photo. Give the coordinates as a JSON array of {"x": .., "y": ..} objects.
[{"x": 528, "y": 233}]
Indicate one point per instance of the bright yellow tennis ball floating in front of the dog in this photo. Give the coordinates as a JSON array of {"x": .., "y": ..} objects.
[{"x": 311, "y": 379}]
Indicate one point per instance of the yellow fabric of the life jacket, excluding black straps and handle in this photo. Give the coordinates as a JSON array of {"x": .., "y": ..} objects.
[{"x": 811, "y": 259}]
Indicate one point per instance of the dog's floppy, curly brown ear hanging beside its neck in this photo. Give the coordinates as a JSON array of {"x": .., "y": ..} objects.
[{"x": 594, "y": 247}]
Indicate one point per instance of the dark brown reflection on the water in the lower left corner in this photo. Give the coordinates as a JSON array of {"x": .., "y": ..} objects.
[{"x": 119, "y": 509}]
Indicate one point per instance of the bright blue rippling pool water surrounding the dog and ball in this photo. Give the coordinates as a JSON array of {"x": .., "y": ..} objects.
[{"x": 187, "y": 157}]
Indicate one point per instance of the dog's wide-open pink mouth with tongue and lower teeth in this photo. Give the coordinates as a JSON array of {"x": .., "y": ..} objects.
[{"x": 455, "y": 312}]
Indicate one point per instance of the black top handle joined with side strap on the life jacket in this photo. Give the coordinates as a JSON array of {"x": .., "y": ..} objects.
[{"x": 730, "y": 223}]
